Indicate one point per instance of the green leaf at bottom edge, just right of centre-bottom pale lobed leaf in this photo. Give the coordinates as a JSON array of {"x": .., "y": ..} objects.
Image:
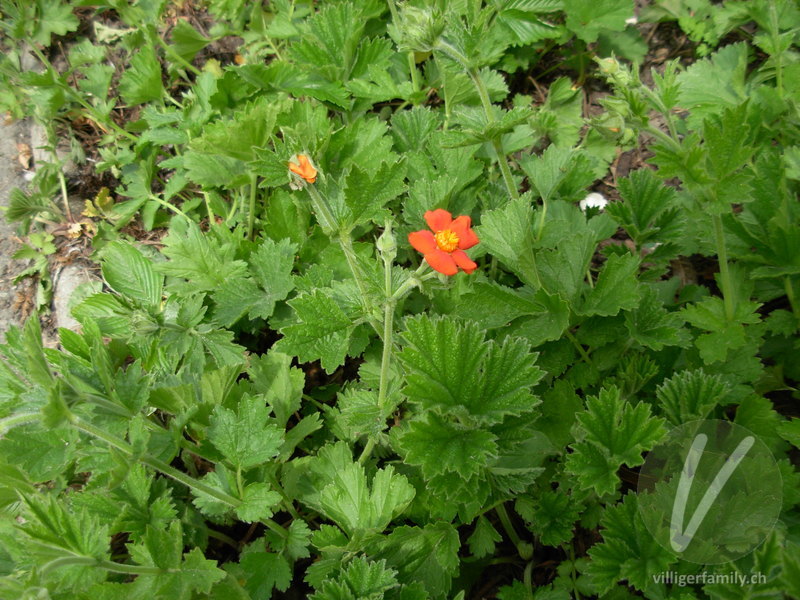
[{"x": 428, "y": 555}]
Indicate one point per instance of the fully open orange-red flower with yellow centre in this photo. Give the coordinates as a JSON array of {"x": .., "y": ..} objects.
[{"x": 444, "y": 247}]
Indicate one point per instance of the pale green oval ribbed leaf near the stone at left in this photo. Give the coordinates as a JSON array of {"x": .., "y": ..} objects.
[{"x": 130, "y": 274}]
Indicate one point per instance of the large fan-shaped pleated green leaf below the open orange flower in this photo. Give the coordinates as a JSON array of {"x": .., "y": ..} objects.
[{"x": 450, "y": 367}]
